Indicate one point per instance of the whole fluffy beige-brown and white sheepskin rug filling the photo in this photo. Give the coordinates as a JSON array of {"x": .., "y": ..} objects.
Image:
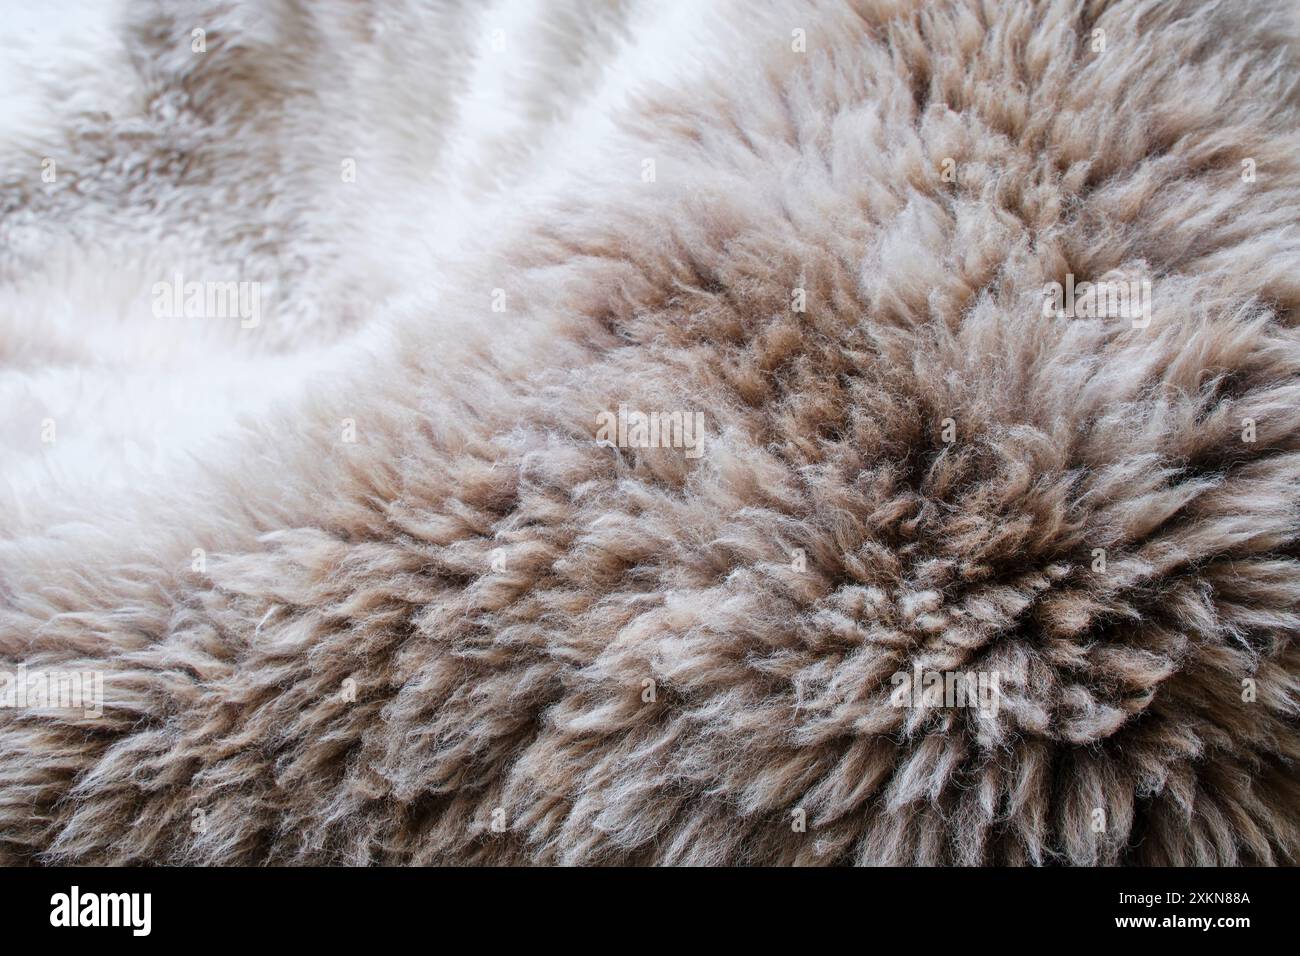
[{"x": 634, "y": 409}]
